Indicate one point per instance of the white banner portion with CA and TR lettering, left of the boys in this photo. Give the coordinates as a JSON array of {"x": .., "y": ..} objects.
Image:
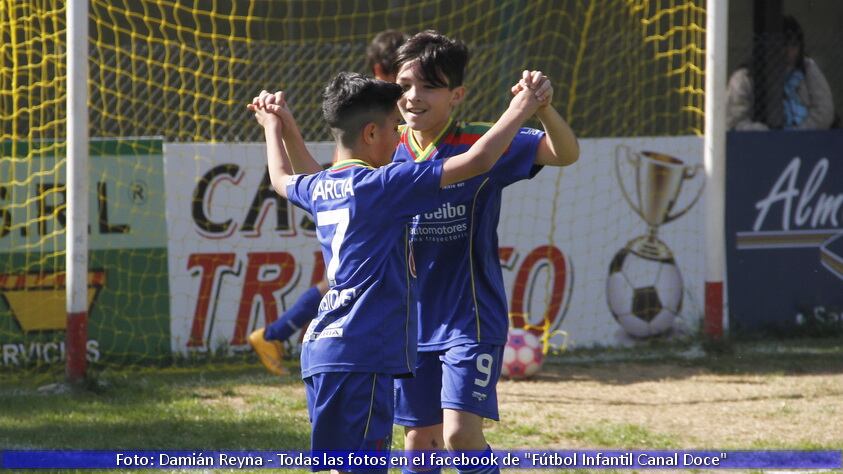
[{"x": 239, "y": 253}]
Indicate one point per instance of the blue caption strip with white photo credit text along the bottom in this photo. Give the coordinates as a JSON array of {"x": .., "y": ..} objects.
[{"x": 346, "y": 460}]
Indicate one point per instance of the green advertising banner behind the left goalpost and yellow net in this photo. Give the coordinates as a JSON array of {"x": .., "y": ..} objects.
[{"x": 127, "y": 276}]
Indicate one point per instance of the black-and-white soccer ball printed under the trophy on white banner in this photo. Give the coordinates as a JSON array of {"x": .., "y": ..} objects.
[{"x": 644, "y": 294}]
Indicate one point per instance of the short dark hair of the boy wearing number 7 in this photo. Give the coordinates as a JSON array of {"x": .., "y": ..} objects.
[{"x": 352, "y": 100}]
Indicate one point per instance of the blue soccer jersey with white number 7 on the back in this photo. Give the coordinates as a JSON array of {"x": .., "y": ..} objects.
[{"x": 366, "y": 321}]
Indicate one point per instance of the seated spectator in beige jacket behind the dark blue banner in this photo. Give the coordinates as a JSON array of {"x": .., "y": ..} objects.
[{"x": 806, "y": 99}]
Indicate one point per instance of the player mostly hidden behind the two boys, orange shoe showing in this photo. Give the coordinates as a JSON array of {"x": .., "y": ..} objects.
[{"x": 268, "y": 342}]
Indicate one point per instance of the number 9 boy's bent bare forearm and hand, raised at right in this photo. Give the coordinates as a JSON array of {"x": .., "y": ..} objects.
[{"x": 559, "y": 147}]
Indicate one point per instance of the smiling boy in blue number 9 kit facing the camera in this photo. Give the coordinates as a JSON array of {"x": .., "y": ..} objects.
[{"x": 463, "y": 319}]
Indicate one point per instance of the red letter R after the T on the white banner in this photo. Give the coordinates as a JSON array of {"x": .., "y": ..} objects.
[{"x": 254, "y": 287}]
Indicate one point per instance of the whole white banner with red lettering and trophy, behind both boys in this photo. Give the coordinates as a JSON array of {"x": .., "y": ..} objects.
[{"x": 579, "y": 259}]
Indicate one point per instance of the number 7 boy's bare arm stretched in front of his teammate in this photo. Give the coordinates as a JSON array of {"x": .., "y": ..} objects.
[{"x": 483, "y": 155}]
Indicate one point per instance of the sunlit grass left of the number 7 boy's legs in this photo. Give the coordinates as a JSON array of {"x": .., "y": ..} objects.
[{"x": 175, "y": 409}]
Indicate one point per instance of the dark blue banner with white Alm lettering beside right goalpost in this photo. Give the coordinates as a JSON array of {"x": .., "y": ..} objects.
[{"x": 784, "y": 232}]
